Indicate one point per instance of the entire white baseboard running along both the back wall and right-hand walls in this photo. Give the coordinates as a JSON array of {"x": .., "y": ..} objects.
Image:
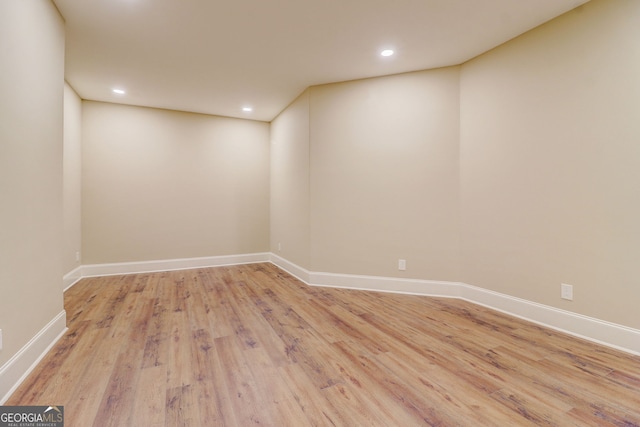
[{"x": 599, "y": 331}]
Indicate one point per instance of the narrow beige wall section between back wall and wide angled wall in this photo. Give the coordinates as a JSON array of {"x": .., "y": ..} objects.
[{"x": 290, "y": 182}]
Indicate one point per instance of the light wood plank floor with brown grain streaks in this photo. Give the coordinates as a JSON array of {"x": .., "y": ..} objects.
[{"x": 248, "y": 345}]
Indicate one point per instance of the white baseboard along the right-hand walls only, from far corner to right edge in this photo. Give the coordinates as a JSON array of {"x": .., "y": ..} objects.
[{"x": 606, "y": 333}]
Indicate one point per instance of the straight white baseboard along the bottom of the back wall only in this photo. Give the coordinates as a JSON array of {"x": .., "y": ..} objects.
[{"x": 171, "y": 264}]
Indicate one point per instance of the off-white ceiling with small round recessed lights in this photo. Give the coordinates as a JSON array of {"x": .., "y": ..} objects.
[{"x": 216, "y": 56}]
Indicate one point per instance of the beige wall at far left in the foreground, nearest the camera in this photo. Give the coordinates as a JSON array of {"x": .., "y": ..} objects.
[{"x": 31, "y": 84}]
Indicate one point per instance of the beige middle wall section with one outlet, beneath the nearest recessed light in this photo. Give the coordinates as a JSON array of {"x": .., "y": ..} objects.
[{"x": 384, "y": 175}]
